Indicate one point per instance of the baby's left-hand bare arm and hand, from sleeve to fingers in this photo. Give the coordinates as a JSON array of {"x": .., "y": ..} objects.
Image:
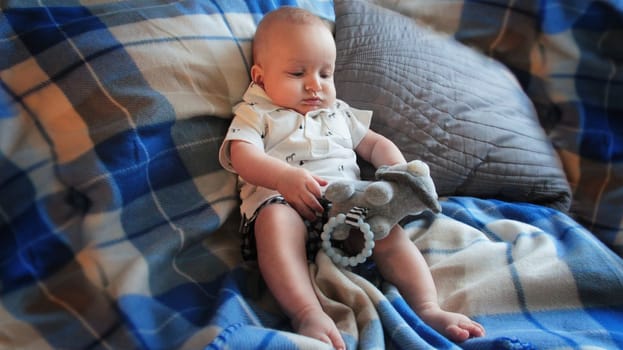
[{"x": 300, "y": 188}]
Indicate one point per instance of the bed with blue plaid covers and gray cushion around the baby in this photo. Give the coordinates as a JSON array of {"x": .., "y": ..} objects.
[{"x": 119, "y": 229}]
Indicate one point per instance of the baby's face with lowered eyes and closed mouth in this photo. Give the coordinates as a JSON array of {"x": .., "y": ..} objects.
[{"x": 297, "y": 72}]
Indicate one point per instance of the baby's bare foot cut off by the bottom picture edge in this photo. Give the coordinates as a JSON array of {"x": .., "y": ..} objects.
[{"x": 317, "y": 324}]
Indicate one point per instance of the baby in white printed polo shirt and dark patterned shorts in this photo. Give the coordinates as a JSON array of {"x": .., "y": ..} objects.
[{"x": 289, "y": 138}]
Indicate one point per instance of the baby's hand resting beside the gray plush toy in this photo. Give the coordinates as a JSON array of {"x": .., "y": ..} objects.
[{"x": 301, "y": 190}]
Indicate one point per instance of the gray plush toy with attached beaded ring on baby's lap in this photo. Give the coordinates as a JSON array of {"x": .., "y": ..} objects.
[{"x": 374, "y": 207}]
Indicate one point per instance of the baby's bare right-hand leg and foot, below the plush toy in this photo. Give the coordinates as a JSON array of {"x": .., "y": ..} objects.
[{"x": 402, "y": 264}]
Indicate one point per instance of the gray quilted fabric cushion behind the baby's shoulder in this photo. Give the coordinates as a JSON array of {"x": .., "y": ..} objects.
[{"x": 459, "y": 111}]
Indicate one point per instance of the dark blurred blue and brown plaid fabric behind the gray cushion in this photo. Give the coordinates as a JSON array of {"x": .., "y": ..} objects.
[{"x": 567, "y": 56}]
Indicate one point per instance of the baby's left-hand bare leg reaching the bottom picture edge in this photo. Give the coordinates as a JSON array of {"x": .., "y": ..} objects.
[{"x": 281, "y": 237}]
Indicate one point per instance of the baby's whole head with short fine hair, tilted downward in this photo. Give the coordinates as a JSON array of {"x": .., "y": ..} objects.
[{"x": 294, "y": 58}]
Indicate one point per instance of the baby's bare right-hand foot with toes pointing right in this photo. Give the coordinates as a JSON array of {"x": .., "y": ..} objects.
[{"x": 457, "y": 327}]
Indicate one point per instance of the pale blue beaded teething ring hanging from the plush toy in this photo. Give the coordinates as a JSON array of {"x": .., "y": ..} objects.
[{"x": 336, "y": 255}]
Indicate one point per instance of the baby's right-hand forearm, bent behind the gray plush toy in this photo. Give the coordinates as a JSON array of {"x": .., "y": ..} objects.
[{"x": 379, "y": 150}]
